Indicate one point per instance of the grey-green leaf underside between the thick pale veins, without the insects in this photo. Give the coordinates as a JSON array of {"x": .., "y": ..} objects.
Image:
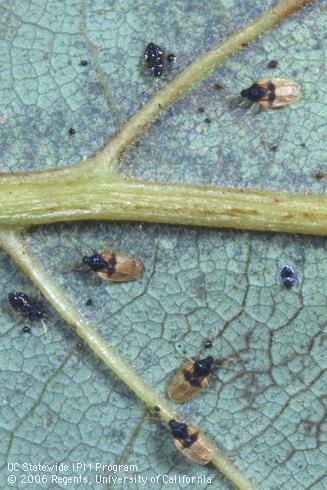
[{"x": 267, "y": 404}]
